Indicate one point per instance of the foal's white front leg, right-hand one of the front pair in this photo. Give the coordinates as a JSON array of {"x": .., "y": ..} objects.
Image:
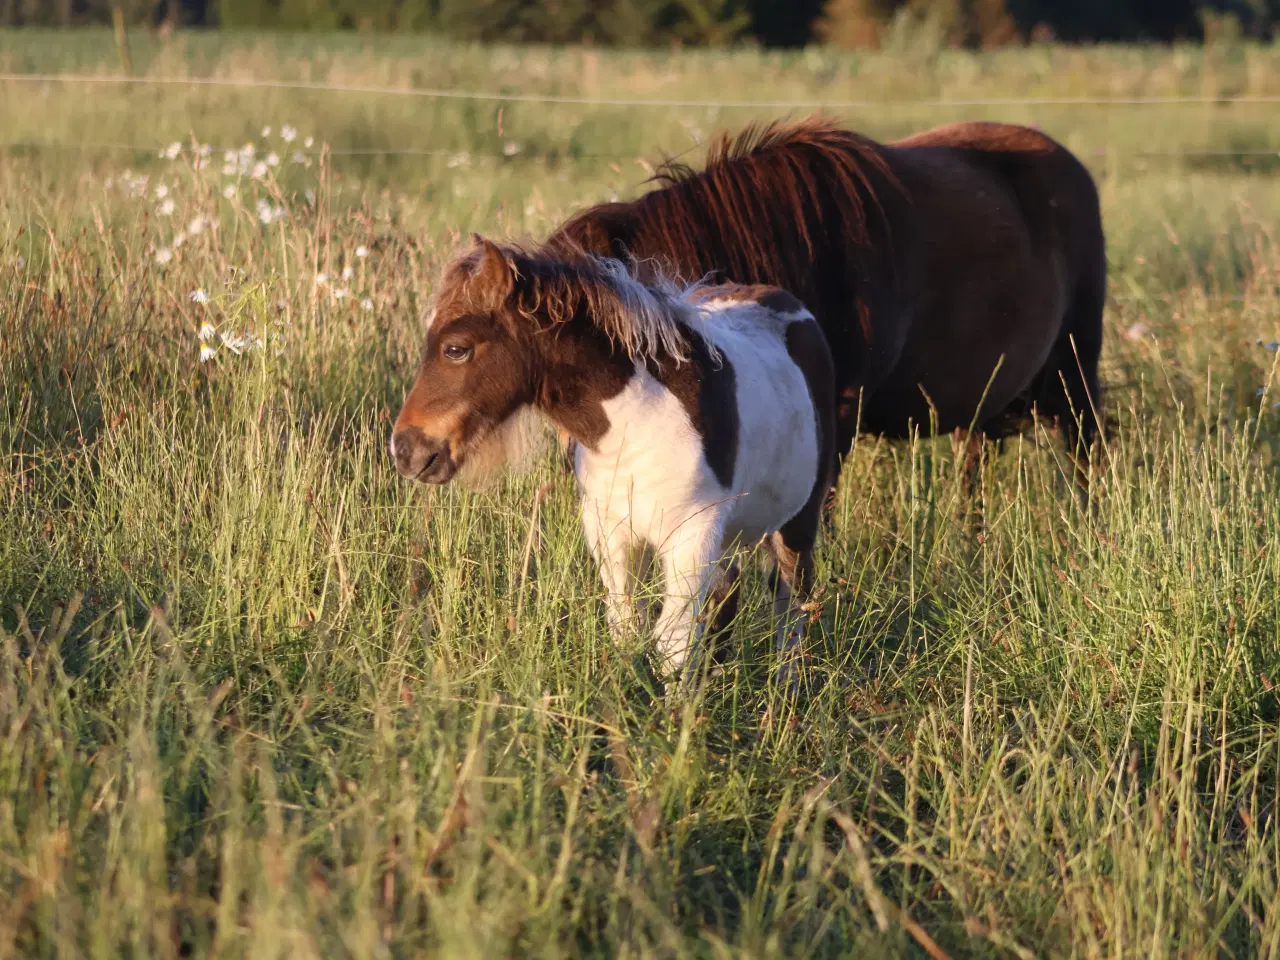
[{"x": 689, "y": 565}]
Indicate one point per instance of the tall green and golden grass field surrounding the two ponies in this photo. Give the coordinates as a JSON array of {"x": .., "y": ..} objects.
[{"x": 262, "y": 698}]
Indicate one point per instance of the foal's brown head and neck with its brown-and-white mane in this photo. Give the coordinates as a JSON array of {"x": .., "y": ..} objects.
[{"x": 511, "y": 331}]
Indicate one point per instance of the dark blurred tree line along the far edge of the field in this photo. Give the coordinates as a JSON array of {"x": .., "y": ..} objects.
[{"x": 848, "y": 24}]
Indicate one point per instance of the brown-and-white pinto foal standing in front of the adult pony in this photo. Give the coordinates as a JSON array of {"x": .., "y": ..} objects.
[{"x": 700, "y": 418}]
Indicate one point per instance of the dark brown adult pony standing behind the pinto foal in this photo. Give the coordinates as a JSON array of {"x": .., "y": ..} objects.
[{"x": 958, "y": 275}]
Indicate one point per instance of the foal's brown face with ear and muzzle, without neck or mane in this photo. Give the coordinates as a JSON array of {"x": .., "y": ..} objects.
[{"x": 477, "y": 369}]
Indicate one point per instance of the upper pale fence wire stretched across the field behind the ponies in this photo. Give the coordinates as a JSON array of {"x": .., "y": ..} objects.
[{"x": 496, "y": 97}]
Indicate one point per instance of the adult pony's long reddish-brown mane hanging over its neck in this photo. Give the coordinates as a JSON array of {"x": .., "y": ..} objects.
[{"x": 769, "y": 207}]
